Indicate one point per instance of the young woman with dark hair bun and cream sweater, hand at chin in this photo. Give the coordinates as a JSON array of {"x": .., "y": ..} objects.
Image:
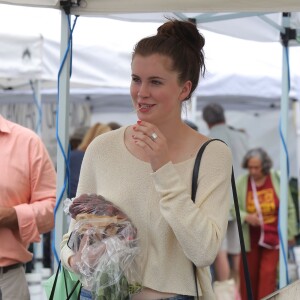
[{"x": 146, "y": 170}]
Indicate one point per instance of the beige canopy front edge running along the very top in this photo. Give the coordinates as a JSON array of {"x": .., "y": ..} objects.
[{"x": 121, "y": 6}]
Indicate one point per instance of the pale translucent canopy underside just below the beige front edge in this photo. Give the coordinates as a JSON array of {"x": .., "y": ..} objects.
[{"x": 257, "y": 26}]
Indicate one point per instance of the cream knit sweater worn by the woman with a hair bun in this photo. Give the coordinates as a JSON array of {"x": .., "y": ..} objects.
[{"x": 173, "y": 232}]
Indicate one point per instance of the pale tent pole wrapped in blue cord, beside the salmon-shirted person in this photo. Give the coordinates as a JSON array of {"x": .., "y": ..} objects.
[{"x": 63, "y": 133}]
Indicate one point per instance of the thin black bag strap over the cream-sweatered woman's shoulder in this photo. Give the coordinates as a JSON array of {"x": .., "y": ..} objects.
[{"x": 238, "y": 217}]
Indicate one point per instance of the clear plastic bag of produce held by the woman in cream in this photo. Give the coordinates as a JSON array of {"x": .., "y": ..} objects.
[{"x": 107, "y": 242}]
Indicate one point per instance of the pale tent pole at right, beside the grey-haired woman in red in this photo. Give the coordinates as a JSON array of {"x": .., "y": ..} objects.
[{"x": 283, "y": 171}]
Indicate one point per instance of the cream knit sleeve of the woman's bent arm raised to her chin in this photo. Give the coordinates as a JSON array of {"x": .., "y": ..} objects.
[{"x": 199, "y": 227}]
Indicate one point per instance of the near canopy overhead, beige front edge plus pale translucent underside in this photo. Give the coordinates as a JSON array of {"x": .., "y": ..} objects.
[{"x": 255, "y": 20}]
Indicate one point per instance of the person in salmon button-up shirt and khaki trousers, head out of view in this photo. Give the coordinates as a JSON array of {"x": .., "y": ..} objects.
[{"x": 27, "y": 200}]
